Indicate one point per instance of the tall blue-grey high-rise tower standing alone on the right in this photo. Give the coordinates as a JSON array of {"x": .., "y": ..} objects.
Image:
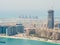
[{"x": 50, "y": 19}]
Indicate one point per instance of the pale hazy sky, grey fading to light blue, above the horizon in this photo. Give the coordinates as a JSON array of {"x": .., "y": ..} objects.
[{"x": 16, "y": 8}]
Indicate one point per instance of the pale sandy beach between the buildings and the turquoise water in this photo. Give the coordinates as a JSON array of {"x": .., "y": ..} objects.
[{"x": 20, "y": 36}]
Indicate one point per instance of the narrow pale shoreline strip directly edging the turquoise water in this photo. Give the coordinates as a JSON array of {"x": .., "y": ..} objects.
[{"x": 34, "y": 38}]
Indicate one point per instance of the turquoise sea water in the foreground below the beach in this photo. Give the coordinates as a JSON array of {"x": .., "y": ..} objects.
[{"x": 10, "y": 41}]
